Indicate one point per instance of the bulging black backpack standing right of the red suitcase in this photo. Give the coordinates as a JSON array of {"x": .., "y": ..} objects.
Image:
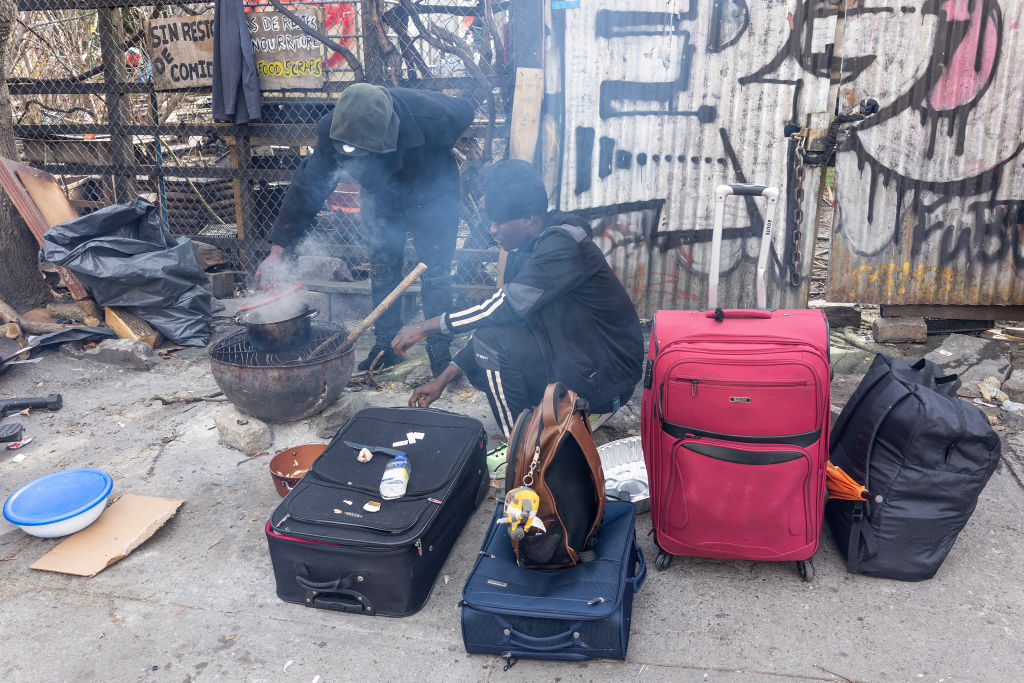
[{"x": 923, "y": 454}]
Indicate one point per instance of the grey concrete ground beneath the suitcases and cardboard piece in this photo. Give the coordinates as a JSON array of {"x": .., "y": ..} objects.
[{"x": 197, "y": 602}]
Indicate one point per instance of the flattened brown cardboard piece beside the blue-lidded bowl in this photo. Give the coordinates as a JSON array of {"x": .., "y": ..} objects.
[{"x": 121, "y": 529}]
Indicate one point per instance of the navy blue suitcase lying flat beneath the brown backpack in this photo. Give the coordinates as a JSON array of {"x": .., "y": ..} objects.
[{"x": 579, "y": 613}]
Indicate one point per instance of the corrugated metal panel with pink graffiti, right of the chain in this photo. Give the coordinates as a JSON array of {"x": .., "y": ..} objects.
[{"x": 930, "y": 192}]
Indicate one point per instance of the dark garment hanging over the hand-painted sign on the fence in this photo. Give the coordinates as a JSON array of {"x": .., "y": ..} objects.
[{"x": 236, "y": 86}]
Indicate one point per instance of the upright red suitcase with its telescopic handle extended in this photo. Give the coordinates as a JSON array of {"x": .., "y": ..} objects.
[{"x": 735, "y": 423}]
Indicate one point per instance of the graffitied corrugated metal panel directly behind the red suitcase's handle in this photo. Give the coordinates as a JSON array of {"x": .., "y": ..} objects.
[{"x": 652, "y": 104}]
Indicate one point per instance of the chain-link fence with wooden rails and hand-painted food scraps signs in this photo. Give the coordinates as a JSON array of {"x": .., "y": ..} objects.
[{"x": 112, "y": 101}]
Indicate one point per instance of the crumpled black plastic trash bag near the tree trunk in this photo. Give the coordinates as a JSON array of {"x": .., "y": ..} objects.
[{"x": 126, "y": 258}]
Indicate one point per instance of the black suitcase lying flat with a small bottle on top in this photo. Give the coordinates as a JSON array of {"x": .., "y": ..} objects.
[{"x": 329, "y": 552}]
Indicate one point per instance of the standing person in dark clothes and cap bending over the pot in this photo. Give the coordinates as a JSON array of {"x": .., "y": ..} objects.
[{"x": 397, "y": 144}]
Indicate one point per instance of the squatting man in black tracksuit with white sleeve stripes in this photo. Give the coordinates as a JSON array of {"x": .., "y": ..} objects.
[{"x": 563, "y": 315}]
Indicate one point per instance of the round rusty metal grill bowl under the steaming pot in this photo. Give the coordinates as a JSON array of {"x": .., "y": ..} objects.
[{"x": 283, "y": 388}]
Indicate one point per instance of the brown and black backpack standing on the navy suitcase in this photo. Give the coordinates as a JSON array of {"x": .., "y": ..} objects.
[{"x": 552, "y": 451}]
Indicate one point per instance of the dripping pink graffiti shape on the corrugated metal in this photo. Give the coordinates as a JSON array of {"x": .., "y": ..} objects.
[{"x": 963, "y": 83}]
